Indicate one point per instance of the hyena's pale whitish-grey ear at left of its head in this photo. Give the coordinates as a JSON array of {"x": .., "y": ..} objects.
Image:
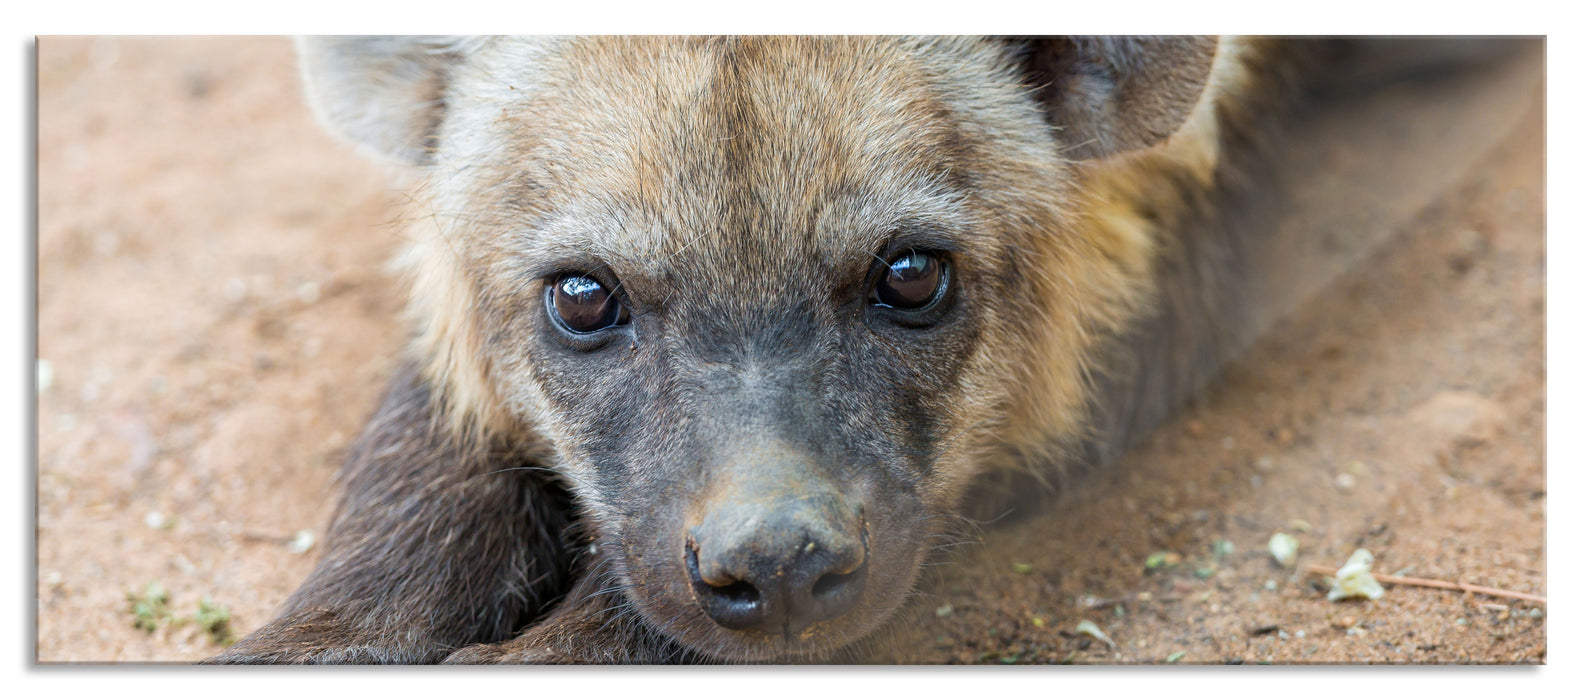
[{"x": 384, "y": 93}]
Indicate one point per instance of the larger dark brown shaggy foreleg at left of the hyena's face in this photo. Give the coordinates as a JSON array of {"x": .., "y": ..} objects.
[{"x": 436, "y": 546}]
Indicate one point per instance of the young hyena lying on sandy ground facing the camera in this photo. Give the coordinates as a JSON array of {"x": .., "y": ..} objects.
[{"x": 716, "y": 337}]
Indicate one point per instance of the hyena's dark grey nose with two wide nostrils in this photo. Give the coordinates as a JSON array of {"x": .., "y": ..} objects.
[{"x": 781, "y": 573}]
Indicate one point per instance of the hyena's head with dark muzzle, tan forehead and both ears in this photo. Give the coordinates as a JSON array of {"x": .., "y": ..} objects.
[{"x": 773, "y": 302}]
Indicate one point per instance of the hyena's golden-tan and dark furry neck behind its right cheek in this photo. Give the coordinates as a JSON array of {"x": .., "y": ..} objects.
[{"x": 1175, "y": 226}]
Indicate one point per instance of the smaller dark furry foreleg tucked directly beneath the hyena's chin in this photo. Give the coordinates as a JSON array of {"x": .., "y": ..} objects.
[{"x": 592, "y": 626}]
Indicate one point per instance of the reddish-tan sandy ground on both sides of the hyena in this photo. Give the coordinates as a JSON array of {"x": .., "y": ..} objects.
[{"x": 216, "y": 322}]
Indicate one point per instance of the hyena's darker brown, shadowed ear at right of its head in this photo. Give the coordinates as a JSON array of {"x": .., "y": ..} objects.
[{"x": 1115, "y": 94}]
